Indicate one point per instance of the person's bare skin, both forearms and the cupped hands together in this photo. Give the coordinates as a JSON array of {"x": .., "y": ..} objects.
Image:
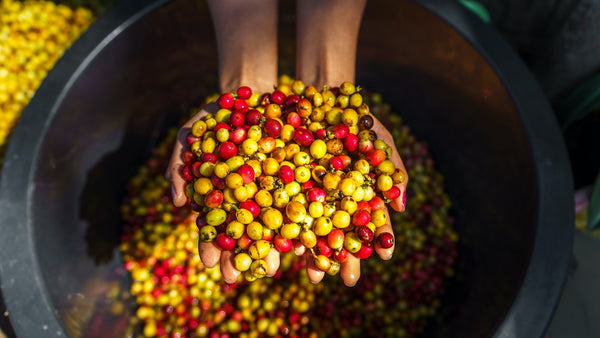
[{"x": 320, "y": 62}]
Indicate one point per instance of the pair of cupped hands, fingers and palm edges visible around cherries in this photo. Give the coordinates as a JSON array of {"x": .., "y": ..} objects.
[{"x": 211, "y": 254}]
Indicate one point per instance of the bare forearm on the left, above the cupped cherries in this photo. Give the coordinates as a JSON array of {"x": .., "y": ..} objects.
[{"x": 246, "y": 32}]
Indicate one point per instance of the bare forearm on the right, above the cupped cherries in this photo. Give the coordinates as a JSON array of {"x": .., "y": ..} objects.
[{"x": 327, "y": 39}]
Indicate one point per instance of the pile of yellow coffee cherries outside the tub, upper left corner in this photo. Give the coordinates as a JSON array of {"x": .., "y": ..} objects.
[{"x": 33, "y": 36}]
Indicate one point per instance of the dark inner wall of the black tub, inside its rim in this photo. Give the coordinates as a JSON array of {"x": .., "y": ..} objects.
[{"x": 153, "y": 71}]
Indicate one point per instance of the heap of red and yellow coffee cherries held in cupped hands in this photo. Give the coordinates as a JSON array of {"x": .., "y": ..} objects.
[{"x": 296, "y": 164}]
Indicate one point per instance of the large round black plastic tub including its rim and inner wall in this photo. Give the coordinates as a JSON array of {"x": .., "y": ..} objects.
[{"x": 457, "y": 84}]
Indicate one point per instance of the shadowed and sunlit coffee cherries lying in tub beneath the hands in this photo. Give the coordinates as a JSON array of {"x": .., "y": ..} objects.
[{"x": 174, "y": 295}]
